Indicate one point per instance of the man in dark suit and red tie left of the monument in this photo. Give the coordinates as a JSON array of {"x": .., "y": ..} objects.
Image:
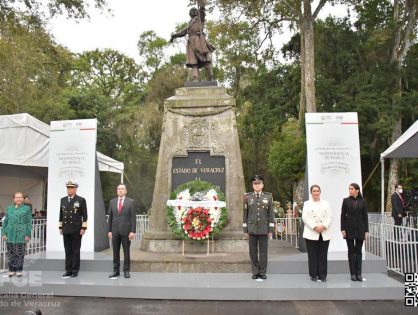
[{"x": 122, "y": 229}]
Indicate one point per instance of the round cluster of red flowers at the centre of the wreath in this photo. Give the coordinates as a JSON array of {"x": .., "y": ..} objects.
[{"x": 196, "y": 223}]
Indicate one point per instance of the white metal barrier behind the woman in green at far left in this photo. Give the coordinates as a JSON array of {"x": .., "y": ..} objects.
[{"x": 36, "y": 244}]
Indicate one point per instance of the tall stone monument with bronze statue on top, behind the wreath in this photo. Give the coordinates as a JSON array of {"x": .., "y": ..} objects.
[{"x": 199, "y": 140}]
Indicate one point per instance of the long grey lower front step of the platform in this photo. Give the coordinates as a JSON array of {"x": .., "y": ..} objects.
[{"x": 205, "y": 286}]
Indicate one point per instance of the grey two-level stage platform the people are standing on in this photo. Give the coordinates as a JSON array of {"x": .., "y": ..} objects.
[{"x": 287, "y": 280}]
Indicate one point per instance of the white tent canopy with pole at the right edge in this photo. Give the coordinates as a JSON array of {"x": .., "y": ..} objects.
[{"x": 406, "y": 146}]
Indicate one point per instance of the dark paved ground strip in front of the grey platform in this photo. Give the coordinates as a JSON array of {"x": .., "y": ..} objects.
[{"x": 93, "y": 306}]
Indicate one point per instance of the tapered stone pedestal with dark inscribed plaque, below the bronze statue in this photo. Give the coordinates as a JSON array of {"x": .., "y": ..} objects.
[{"x": 199, "y": 141}]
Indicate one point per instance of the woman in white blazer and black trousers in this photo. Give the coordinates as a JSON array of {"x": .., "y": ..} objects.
[{"x": 317, "y": 217}]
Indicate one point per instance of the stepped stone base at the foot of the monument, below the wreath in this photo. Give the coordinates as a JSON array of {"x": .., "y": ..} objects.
[{"x": 226, "y": 253}]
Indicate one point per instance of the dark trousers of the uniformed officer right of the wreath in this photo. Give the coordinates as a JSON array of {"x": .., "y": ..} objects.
[{"x": 258, "y": 253}]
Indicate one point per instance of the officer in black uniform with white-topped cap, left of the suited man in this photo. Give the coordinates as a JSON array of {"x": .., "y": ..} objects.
[{"x": 72, "y": 225}]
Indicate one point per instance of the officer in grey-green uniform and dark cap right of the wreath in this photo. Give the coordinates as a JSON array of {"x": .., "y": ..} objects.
[{"x": 258, "y": 224}]
